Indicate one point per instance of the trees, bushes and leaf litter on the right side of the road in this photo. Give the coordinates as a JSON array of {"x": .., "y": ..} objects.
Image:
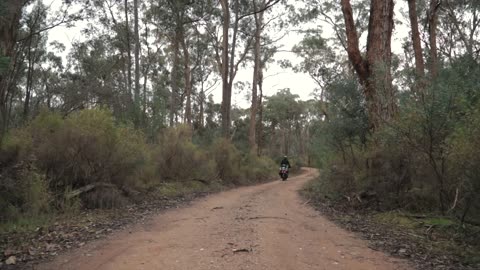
[{"x": 399, "y": 143}]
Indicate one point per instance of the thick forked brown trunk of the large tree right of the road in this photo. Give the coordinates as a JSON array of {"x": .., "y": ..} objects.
[{"x": 374, "y": 71}]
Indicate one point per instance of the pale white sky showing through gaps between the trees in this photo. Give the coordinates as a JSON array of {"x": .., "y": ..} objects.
[{"x": 275, "y": 77}]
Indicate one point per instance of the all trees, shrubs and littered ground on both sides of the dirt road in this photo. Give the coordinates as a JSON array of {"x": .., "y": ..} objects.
[{"x": 127, "y": 116}]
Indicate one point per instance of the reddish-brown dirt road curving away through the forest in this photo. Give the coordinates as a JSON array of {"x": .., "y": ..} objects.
[{"x": 262, "y": 227}]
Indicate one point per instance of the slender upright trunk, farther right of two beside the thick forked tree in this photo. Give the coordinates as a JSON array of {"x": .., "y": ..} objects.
[{"x": 432, "y": 31}]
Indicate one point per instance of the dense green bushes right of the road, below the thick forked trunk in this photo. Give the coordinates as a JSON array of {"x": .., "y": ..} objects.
[{"x": 425, "y": 160}]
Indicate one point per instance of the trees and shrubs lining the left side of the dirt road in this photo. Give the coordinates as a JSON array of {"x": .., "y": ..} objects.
[{"x": 127, "y": 115}]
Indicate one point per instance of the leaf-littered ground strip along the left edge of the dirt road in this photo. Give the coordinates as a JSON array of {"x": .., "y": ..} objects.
[{"x": 44, "y": 239}]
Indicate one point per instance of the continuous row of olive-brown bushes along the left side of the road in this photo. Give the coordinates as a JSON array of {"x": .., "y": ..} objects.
[{"x": 87, "y": 159}]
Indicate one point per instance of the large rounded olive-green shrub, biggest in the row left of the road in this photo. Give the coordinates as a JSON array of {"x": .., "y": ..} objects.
[{"x": 87, "y": 148}]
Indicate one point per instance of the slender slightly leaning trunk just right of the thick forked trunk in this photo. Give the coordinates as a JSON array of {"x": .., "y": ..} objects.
[{"x": 417, "y": 46}]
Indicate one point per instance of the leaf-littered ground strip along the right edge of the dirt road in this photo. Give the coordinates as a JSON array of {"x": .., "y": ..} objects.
[{"x": 428, "y": 241}]
